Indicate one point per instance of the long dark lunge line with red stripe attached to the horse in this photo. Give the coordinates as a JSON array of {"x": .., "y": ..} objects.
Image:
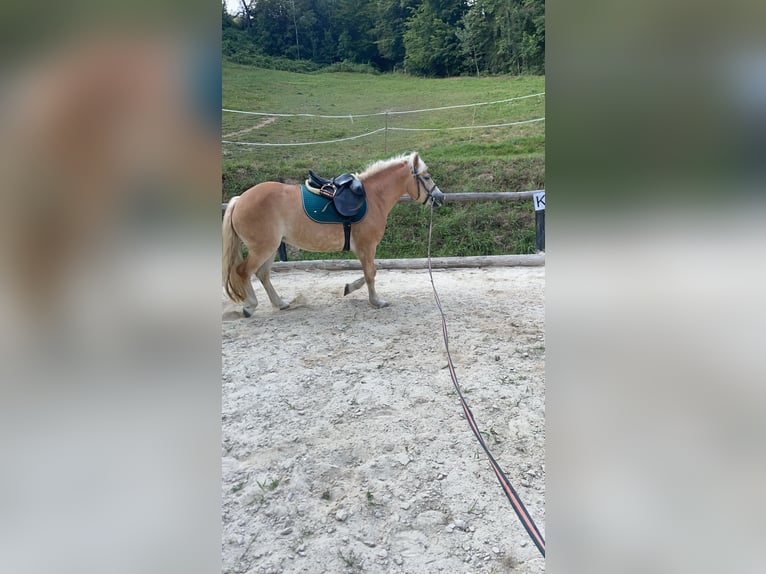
[{"x": 510, "y": 492}]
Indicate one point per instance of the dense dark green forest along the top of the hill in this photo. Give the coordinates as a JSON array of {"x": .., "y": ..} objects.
[{"x": 433, "y": 38}]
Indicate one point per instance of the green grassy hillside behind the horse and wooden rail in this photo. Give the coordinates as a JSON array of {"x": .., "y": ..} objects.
[{"x": 508, "y": 158}]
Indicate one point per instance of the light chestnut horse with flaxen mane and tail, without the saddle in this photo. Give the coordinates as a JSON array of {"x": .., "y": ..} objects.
[{"x": 268, "y": 212}]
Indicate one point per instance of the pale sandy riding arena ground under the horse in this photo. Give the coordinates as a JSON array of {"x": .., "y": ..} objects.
[{"x": 344, "y": 445}]
